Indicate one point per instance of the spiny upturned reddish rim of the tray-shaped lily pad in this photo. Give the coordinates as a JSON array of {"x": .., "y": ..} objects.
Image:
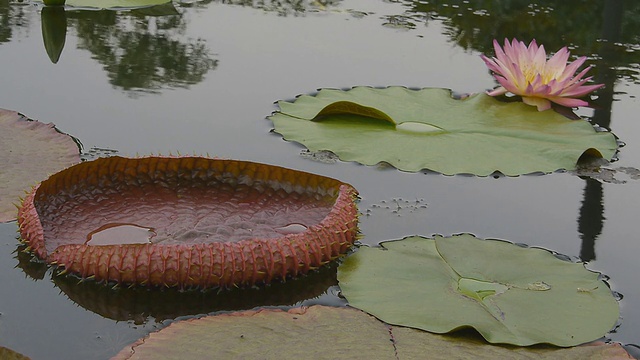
[{"x": 202, "y": 265}]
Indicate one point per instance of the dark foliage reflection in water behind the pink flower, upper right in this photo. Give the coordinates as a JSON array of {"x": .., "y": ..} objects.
[{"x": 585, "y": 26}]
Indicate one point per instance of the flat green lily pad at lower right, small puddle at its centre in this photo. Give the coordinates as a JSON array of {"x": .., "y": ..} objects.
[{"x": 509, "y": 294}]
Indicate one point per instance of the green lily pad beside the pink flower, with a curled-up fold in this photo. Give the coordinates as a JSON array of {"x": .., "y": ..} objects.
[{"x": 428, "y": 129}]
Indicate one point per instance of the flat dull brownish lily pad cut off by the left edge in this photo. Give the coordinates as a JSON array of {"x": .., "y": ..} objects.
[{"x": 30, "y": 151}]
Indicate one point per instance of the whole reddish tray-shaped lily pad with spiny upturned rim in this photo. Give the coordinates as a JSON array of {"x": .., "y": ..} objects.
[{"x": 188, "y": 221}]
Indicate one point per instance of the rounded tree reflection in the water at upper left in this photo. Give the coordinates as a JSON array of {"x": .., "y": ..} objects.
[{"x": 143, "y": 50}]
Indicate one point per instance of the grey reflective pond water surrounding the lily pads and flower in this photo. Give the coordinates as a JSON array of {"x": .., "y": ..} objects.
[{"x": 200, "y": 77}]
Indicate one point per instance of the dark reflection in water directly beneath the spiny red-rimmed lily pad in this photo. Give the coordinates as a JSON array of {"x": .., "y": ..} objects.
[{"x": 141, "y": 304}]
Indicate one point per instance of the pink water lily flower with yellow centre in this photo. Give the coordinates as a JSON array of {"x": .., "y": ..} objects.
[{"x": 524, "y": 70}]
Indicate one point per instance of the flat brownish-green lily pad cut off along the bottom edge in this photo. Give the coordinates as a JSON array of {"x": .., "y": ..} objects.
[{"x": 322, "y": 332}]
